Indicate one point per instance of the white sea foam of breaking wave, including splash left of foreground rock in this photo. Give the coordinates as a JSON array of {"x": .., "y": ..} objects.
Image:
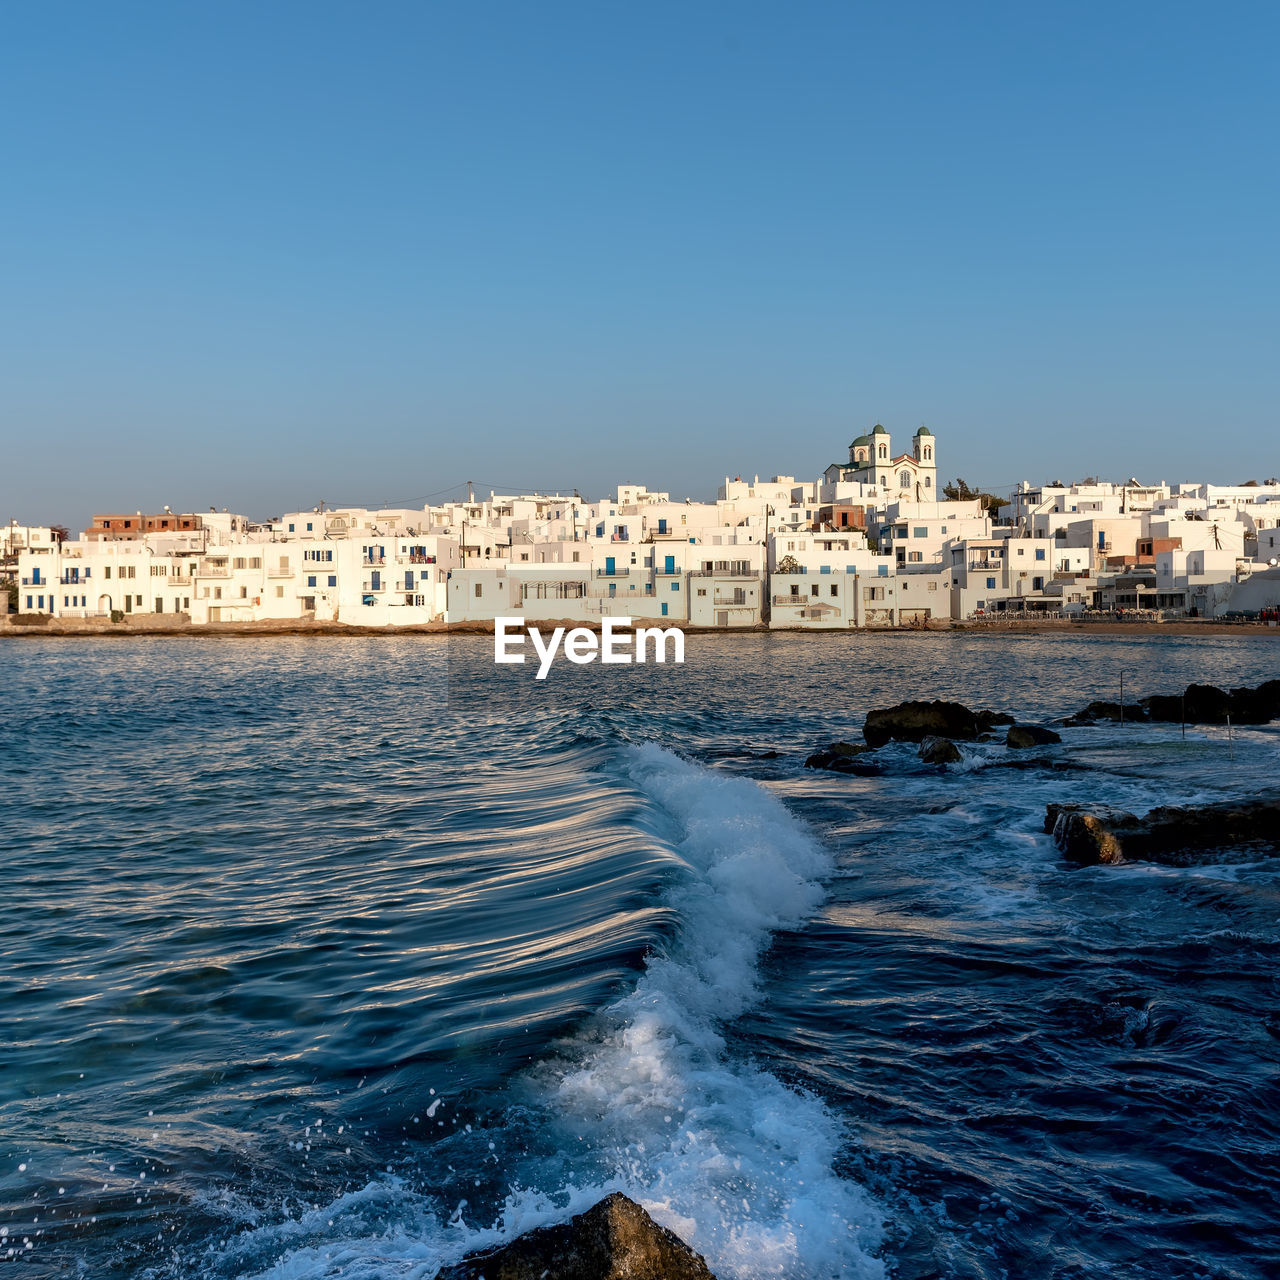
[{"x": 648, "y": 1101}]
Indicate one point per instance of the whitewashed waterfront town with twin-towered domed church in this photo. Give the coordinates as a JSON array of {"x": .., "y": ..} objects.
[{"x": 874, "y": 542}]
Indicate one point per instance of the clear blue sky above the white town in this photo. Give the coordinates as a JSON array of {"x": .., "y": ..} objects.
[{"x": 255, "y": 255}]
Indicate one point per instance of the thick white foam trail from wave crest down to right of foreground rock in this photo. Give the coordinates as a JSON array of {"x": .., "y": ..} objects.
[{"x": 724, "y": 1154}]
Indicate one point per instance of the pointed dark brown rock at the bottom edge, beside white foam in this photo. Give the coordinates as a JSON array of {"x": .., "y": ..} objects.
[{"x": 614, "y": 1241}]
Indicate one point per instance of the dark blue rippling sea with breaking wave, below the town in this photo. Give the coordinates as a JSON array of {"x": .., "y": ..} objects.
[{"x": 337, "y": 957}]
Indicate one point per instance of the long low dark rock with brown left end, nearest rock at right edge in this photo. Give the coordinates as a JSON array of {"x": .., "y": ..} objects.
[{"x": 1180, "y": 838}]
